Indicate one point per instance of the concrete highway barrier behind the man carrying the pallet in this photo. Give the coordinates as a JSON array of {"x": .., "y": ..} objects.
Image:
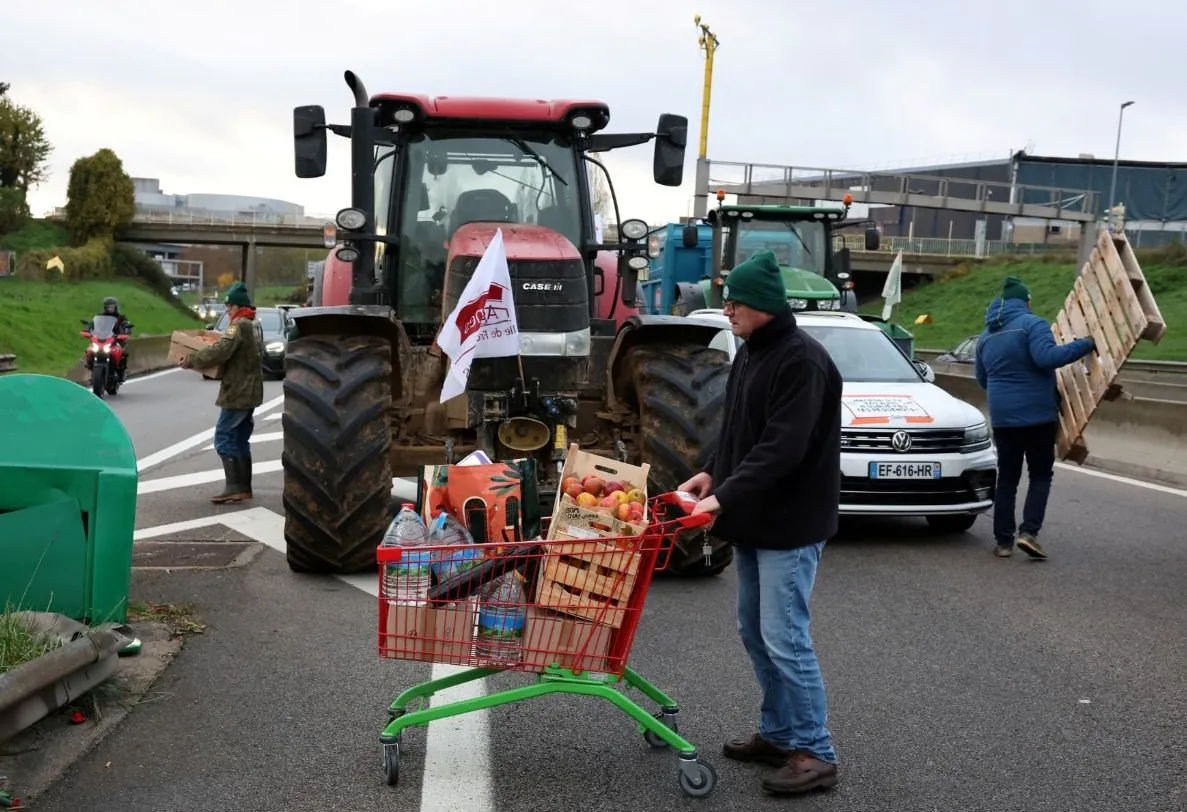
[{"x": 1145, "y": 439}]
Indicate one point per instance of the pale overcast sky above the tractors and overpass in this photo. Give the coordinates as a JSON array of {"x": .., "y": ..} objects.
[{"x": 201, "y": 94}]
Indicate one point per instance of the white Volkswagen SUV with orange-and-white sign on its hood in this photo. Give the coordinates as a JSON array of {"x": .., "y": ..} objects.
[{"x": 907, "y": 447}]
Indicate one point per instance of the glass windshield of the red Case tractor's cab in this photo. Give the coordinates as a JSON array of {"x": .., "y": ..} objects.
[{"x": 456, "y": 177}]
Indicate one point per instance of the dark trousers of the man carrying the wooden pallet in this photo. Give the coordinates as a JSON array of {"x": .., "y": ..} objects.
[{"x": 1037, "y": 446}]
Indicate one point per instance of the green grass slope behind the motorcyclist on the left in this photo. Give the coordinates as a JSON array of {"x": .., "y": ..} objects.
[{"x": 40, "y": 322}]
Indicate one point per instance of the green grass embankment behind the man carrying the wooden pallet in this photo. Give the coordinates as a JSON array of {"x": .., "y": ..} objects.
[{"x": 957, "y": 301}]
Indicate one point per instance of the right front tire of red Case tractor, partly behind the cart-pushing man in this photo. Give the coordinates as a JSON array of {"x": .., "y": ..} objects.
[{"x": 681, "y": 394}]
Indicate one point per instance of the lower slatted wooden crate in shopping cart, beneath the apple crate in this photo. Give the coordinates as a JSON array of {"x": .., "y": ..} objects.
[{"x": 589, "y": 580}]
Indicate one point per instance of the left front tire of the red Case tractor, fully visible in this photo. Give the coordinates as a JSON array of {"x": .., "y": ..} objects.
[{"x": 338, "y": 473}]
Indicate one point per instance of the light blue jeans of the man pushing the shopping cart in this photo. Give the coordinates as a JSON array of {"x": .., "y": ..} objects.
[{"x": 775, "y": 591}]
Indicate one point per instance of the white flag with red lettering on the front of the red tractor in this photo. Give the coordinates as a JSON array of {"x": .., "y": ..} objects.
[{"x": 484, "y": 323}]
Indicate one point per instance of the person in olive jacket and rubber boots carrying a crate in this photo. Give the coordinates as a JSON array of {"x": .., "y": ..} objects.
[{"x": 240, "y": 391}]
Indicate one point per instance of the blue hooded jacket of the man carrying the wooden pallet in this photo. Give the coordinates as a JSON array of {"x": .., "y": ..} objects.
[{"x": 1017, "y": 363}]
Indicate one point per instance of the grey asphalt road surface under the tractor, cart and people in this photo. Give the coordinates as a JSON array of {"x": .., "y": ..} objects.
[{"x": 956, "y": 681}]
